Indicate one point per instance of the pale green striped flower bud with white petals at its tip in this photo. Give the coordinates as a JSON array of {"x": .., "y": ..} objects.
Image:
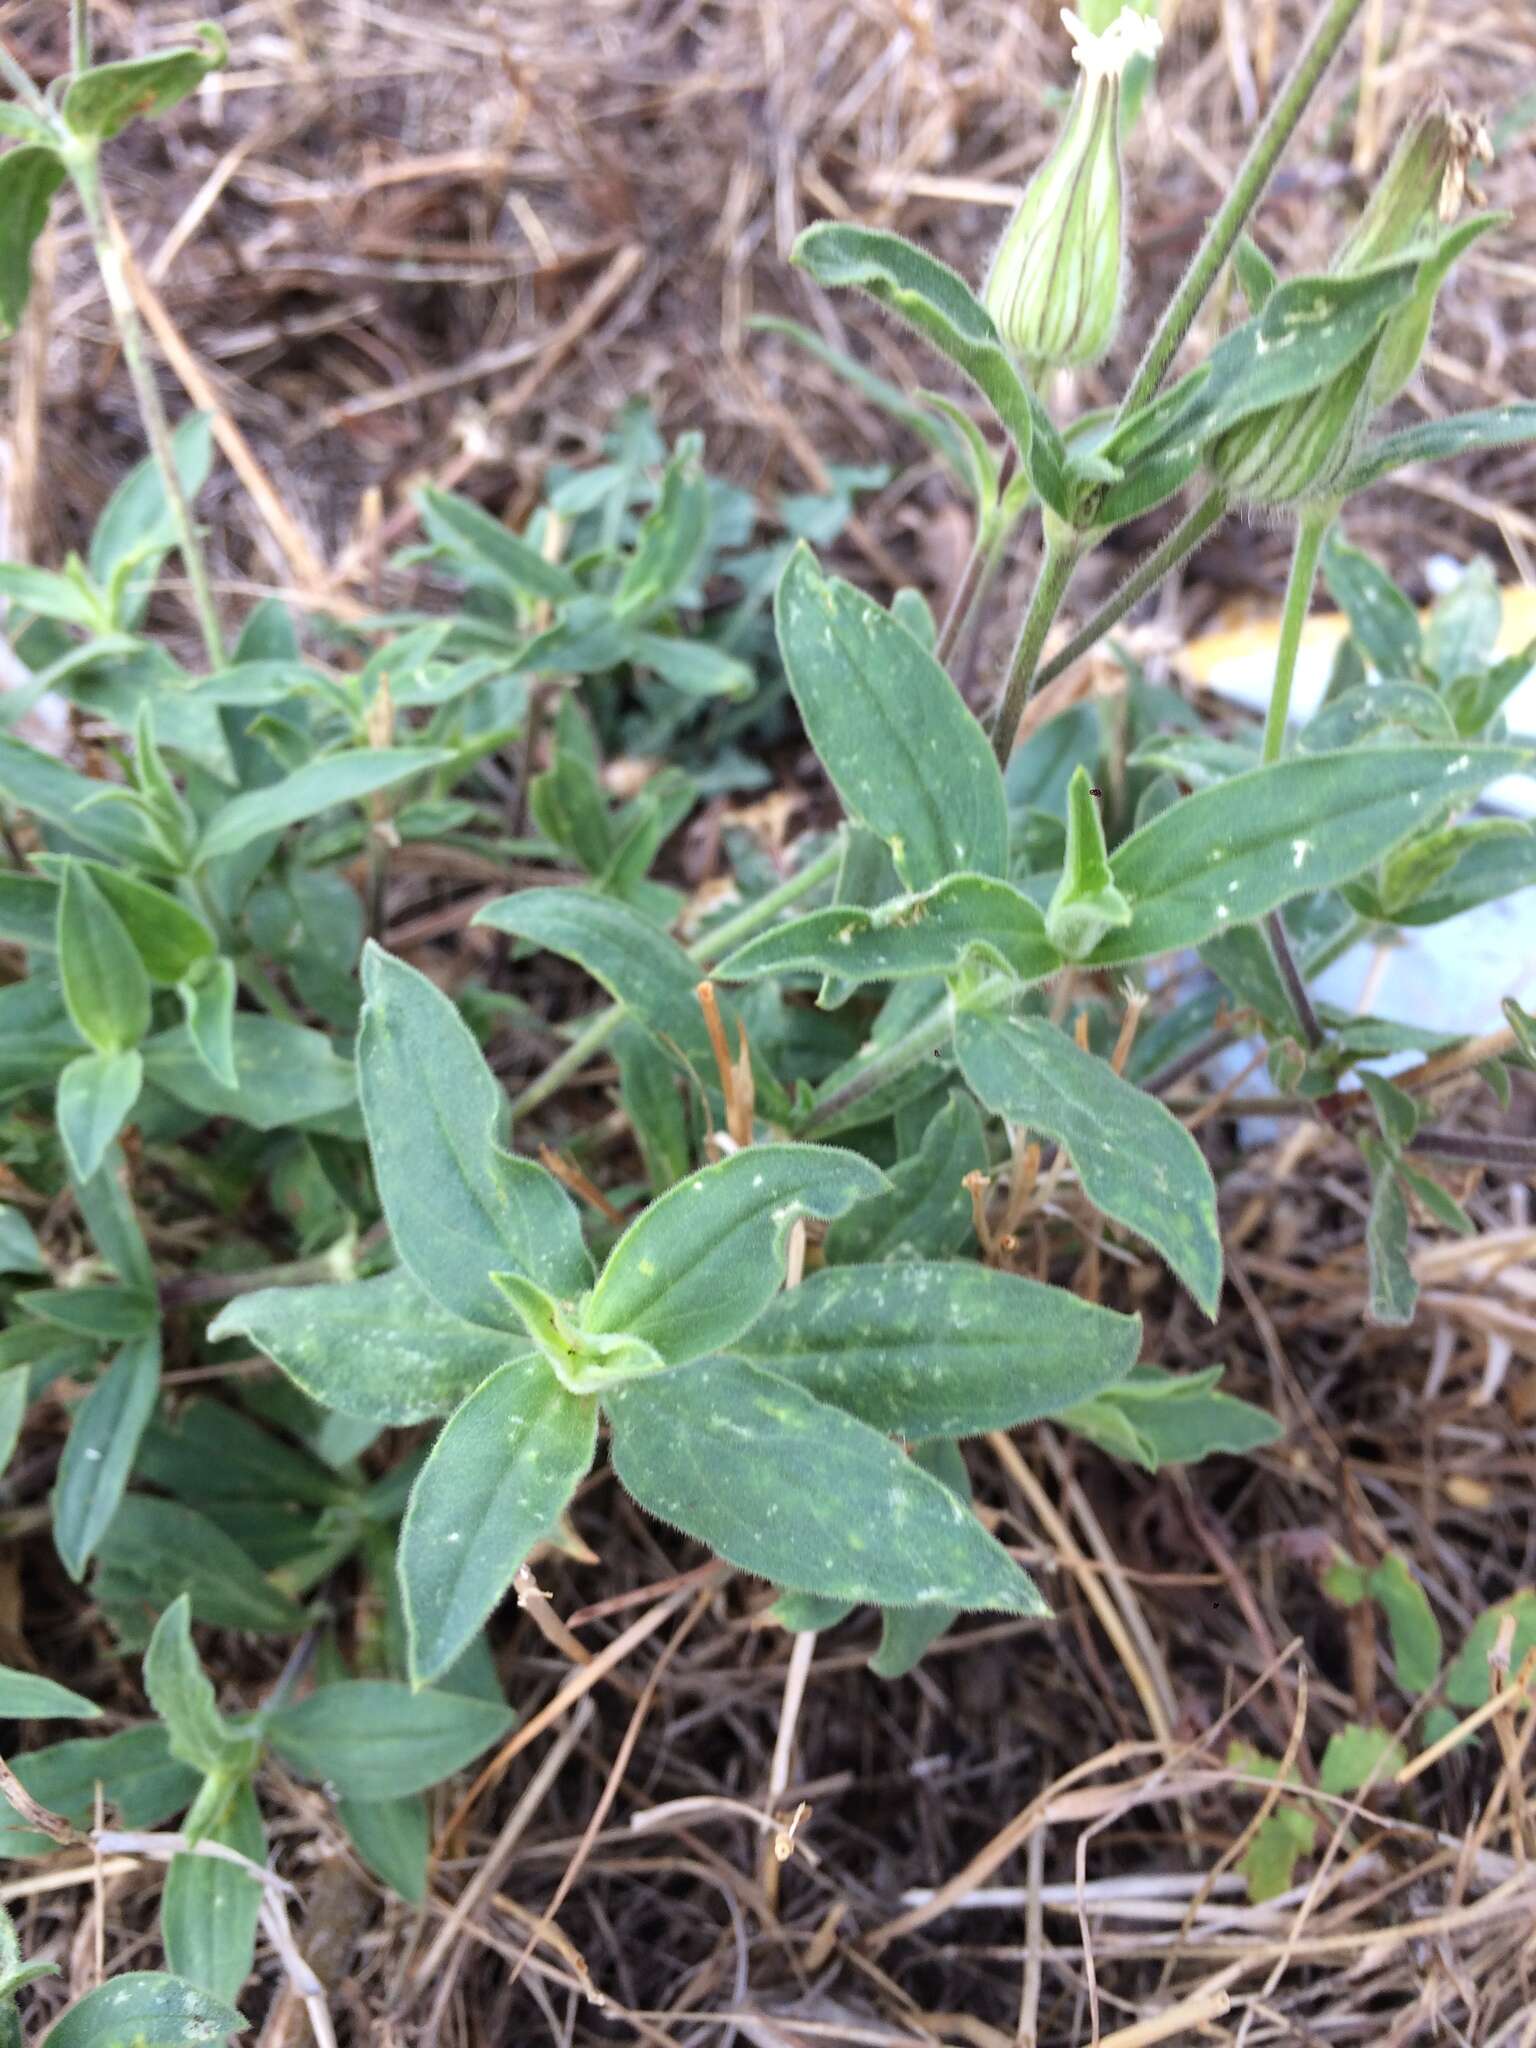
[{"x": 1054, "y": 288}]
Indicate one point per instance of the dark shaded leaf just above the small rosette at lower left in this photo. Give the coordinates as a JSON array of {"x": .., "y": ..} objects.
[{"x": 169, "y": 1549}]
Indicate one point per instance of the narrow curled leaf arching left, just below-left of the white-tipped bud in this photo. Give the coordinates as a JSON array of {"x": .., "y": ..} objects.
[{"x": 943, "y": 308}]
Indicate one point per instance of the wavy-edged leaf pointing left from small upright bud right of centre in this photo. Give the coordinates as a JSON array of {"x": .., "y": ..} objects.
[{"x": 935, "y": 933}]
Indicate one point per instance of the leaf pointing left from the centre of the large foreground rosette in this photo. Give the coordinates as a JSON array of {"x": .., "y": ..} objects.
[{"x": 374, "y": 1349}]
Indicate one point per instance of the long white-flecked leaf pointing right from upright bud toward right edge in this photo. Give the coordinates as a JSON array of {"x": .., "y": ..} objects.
[{"x": 1238, "y": 851}]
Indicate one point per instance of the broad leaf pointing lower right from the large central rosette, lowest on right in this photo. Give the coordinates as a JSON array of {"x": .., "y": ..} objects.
[{"x": 802, "y": 1494}]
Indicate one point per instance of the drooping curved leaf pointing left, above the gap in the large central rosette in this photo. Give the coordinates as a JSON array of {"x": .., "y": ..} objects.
[{"x": 630, "y": 957}]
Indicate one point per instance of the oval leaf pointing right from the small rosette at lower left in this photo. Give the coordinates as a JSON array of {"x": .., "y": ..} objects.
[{"x": 378, "y": 1740}]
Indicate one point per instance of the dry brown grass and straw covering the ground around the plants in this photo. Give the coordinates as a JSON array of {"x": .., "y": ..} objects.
[{"x": 398, "y": 241}]
